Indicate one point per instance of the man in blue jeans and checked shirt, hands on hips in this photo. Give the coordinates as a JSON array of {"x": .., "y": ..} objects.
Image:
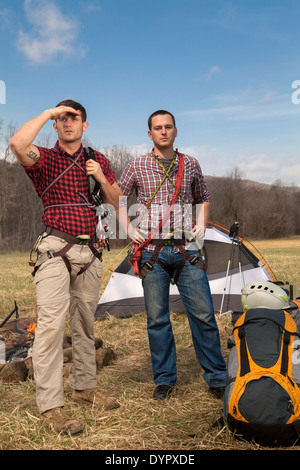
[{"x": 169, "y": 252}]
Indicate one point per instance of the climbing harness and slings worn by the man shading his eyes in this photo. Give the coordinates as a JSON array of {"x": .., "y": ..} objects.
[{"x": 95, "y": 193}]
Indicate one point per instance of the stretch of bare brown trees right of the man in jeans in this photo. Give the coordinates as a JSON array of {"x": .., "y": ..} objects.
[{"x": 263, "y": 211}]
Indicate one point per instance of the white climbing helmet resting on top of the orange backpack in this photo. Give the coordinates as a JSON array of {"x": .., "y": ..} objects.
[{"x": 264, "y": 294}]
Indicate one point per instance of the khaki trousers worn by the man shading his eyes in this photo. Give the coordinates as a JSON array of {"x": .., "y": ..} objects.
[{"x": 57, "y": 290}]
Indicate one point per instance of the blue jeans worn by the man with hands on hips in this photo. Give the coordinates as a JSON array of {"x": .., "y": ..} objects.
[{"x": 196, "y": 296}]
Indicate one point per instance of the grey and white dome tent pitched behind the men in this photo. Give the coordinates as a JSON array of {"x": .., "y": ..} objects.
[{"x": 232, "y": 262}]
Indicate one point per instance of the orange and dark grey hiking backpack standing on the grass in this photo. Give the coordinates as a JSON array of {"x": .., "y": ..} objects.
[{"x": 262, "y": 396}]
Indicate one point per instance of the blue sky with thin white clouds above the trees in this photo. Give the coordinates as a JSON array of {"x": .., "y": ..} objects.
[{"x": 224, "y": 68}]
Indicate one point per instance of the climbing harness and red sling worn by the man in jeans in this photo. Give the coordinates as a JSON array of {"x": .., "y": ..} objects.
[{"x": 159, "y": 243}]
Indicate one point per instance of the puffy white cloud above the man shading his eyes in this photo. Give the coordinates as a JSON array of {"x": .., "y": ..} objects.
[{"x": 51, "y": 33}]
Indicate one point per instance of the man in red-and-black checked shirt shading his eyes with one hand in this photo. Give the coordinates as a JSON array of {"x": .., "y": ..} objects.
[{"x": 68, "y": 270}]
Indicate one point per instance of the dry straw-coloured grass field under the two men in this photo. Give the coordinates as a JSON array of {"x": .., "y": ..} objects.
[{"x": 182, "y": 423}]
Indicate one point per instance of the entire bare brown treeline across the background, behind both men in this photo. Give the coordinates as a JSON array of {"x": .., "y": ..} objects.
[{"x": 262, "y": 211}]
